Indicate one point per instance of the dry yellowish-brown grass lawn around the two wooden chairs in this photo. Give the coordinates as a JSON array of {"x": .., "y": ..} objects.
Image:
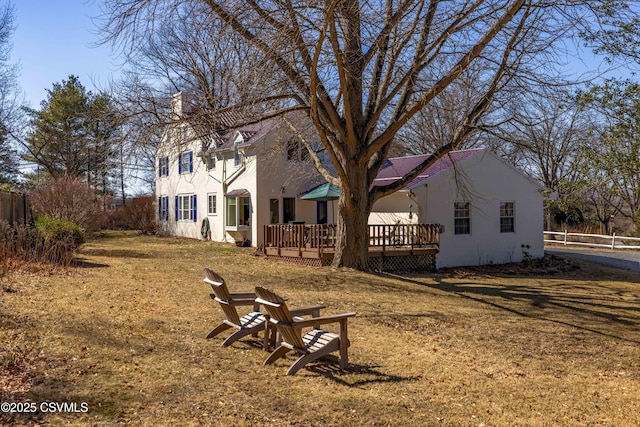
[{"x": 125, "y": 334}]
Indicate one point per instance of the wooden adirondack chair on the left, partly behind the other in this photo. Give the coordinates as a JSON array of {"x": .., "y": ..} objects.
[{"x": 248, "y": 324}]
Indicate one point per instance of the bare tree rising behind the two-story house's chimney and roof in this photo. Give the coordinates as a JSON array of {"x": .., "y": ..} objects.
[{"x": 189, "y": 51}]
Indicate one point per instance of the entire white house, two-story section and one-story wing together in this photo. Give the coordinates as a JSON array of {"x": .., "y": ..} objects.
[{"x": 226, "y": 185}]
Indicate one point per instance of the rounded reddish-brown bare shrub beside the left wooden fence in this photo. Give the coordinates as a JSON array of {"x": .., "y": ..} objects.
[{"x": 70, "y": 199}]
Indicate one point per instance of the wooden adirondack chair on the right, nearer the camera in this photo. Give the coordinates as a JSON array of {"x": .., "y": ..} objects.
[{"x": 310, "y": 345}]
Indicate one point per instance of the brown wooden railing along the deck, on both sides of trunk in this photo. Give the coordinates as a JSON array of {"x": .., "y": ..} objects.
[{"x": 323, "y": 236}]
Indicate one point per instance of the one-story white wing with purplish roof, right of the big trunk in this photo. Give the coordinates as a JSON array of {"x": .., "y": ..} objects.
[{"x": 489, "y": 212}]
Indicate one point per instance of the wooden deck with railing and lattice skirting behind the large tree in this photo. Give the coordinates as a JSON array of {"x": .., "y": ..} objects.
[{"x": 314, "y": 244}]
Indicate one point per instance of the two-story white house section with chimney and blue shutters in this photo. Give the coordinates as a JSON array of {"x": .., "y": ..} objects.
[{"x": 234, "y": 180}]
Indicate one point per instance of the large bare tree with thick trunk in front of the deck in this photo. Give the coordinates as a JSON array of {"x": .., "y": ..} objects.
[{"x": 362, "y": 70}]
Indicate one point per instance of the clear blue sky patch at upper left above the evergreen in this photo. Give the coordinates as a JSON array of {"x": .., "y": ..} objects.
[{"x": 56, "y": 38}]
